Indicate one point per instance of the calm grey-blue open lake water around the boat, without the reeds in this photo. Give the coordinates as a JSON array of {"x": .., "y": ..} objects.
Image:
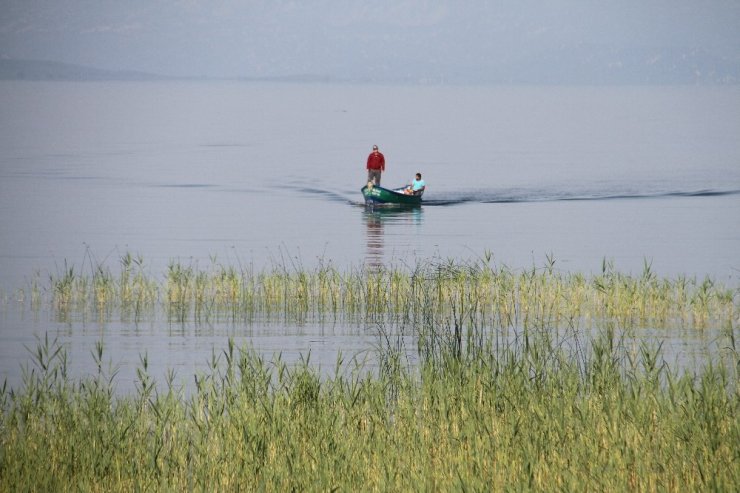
[{"x": 265, "y": 174}]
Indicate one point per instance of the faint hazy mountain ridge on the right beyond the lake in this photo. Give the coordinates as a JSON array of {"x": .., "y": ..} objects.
[{"x": 580, "y": 64}]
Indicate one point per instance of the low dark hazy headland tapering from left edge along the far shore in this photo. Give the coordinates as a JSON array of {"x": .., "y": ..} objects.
[{"x": 11, "y": 69}]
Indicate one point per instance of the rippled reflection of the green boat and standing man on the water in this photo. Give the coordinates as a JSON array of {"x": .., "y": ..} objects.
[{"x": 377, "y": 219}]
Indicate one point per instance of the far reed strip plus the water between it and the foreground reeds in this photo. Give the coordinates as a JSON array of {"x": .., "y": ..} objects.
[{"x": 181, "y": 318}]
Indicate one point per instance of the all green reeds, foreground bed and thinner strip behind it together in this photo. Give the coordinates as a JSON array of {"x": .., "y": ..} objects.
[{"x": 547, "y": 409}]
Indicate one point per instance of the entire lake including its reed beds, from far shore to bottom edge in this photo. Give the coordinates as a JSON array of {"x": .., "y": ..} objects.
[{"x": 193, "y": 296}]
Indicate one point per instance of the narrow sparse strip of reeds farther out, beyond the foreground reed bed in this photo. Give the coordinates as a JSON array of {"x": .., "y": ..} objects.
[{"x": 492, "y": 296}]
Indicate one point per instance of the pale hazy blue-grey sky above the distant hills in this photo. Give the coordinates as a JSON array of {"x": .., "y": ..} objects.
[{"x": 353, "y": 38}]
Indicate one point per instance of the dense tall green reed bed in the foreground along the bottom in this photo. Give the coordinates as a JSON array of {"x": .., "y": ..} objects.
[{"x": 526, "y": 415}]
